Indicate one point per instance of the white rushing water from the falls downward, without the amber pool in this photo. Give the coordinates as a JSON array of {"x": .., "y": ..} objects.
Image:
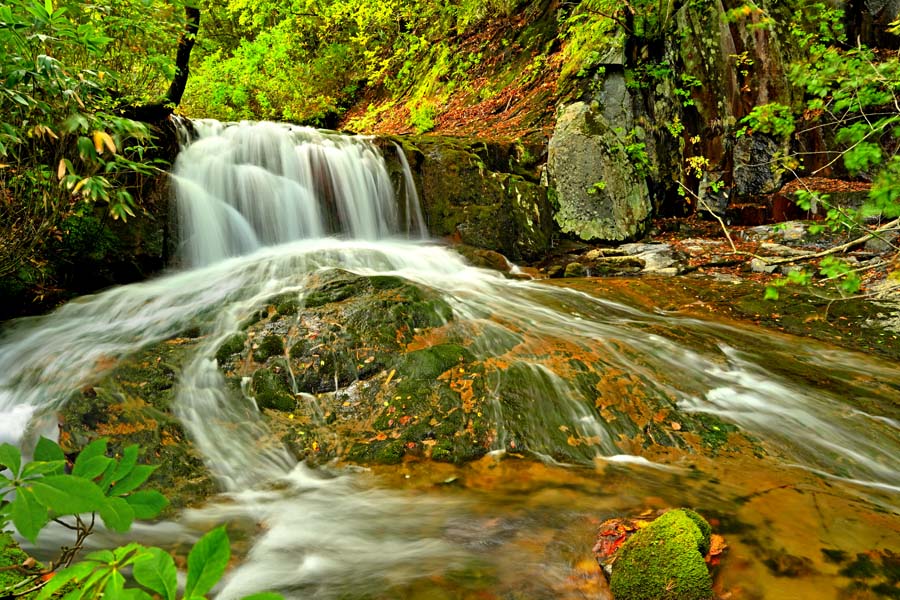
[{"x": 330, "y": 535}]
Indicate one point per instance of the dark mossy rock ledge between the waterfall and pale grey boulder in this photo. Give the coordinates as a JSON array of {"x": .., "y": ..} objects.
[{"x": 484, "y": 194}]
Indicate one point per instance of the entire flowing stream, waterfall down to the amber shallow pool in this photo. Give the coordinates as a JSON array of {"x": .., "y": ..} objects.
[{"x": 262, "y": 207}]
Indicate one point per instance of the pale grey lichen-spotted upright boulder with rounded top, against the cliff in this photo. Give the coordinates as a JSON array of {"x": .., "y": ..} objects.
[{"x": 600, "y": 194}]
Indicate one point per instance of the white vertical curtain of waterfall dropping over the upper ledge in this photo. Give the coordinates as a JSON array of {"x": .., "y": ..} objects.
[{"x": 241, "y": 186}]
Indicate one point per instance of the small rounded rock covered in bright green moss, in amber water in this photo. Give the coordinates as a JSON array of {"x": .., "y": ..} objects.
[{"x": 664, "y": 561}]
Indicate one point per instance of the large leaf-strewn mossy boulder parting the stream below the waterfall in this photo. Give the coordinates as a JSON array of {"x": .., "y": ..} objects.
[{"x": 352, "y": 388}]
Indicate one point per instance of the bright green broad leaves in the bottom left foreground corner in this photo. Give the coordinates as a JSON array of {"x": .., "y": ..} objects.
[{"x": 45, "y": 491}]
